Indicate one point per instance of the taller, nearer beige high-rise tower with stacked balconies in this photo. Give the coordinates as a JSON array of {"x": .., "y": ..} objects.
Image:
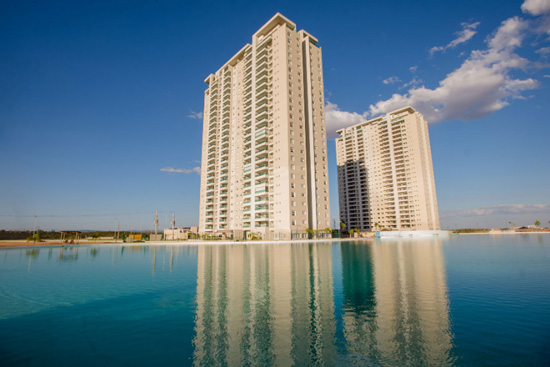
[{"x": 264, "y": 166}]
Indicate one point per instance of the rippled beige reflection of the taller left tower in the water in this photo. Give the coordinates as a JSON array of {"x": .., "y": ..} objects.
[{"x": 263, "y": 305}]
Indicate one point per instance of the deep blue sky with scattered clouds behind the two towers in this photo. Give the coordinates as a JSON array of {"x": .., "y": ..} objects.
[{"x": 98, "y": 97}]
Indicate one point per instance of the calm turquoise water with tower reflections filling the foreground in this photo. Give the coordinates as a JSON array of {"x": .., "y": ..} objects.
[{"x": 462, "y": 301}]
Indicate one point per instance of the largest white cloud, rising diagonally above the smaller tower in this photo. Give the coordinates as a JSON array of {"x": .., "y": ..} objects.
[{"x": 479, "y": 87}]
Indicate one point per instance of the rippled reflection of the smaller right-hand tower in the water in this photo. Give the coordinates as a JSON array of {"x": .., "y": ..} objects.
[{"x": 395, "y": 307}]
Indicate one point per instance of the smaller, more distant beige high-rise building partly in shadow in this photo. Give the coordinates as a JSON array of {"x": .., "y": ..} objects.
[{"x": 385, "y": 174}]
